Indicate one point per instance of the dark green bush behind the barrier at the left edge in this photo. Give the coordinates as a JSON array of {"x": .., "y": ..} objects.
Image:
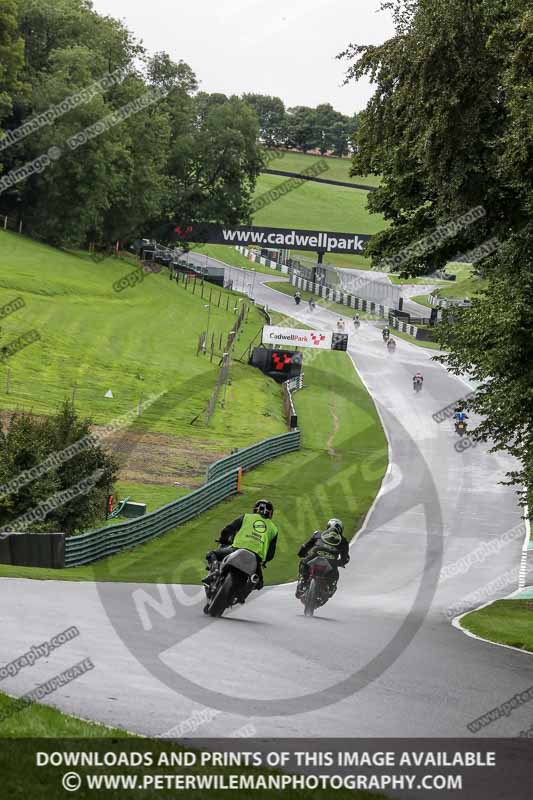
[{"x": 26, "y": 444}]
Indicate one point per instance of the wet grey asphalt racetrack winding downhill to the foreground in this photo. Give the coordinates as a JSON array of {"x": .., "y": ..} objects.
[{"x": 381, "y": 659}]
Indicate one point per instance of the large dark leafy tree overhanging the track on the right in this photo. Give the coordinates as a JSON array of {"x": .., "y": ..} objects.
[{"x": 449, "y": 127}]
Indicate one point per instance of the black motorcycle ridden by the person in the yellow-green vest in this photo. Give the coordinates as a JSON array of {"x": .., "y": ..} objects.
[{"x": 232, "y": 580}]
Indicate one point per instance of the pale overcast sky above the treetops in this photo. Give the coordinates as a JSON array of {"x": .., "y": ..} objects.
[{"x": 281, "y": 47}]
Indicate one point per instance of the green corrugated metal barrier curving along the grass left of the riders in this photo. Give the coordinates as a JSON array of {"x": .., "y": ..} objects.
[{"x": 222, "y": 482}]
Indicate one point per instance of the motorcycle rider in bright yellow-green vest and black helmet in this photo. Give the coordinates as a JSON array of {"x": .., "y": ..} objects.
[{"x": 255, "y": 532}]
